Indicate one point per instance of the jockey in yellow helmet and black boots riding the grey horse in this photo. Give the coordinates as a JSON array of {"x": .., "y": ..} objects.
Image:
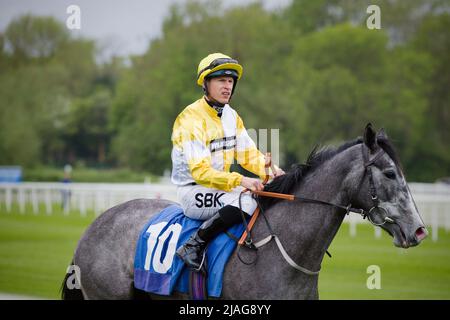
[{"x": 207, "y": 137}]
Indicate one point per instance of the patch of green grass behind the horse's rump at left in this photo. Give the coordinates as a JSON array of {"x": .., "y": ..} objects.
[{"x": 35, "y": 250}]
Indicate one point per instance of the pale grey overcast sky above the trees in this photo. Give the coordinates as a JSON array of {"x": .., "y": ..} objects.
[{"x": 120, "y": 26}]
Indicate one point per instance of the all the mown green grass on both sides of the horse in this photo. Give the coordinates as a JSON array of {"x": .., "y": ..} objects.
[{"x": 35, "y": 251}]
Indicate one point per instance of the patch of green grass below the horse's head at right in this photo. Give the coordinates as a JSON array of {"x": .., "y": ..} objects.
[{"x": 421, "y": 272}]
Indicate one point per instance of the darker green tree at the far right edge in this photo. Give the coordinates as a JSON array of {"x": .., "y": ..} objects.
[{"x": 433, "y": 40}]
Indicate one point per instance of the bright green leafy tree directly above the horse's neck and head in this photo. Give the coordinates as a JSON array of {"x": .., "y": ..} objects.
[{"x": 350, "y": 76}]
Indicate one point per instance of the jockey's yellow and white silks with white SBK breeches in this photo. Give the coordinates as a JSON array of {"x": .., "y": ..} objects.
[{"x": 204, "y": 147}]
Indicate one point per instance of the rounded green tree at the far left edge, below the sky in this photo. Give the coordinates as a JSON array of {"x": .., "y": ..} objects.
[{"x": 45, "y": 70}]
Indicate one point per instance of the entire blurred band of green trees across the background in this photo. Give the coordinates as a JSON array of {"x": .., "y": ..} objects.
[{"x": 313, "y": 70}]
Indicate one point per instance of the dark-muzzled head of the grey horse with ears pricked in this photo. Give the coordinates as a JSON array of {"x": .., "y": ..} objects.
[{"x": 384, "y": 193}]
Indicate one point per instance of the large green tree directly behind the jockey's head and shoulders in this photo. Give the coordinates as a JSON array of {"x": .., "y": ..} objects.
[{"x": 163, "y": 81}]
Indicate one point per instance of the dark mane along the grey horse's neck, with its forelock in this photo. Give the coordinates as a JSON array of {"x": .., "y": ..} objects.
[{"x": 287, "y": 182}]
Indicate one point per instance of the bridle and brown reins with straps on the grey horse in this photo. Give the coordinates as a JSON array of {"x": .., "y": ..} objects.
[{"x": 373, "y": 214}]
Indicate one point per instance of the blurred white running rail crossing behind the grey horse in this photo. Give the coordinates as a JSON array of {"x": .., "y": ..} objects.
[{"x": 433, "y": 200}]
